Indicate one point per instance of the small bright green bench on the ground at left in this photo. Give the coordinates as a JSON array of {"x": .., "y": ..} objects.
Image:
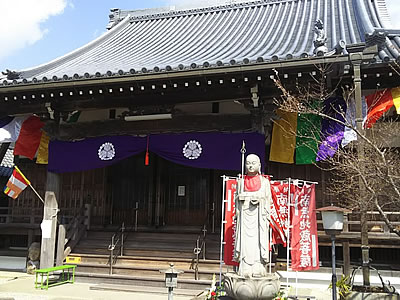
[{"x": 67, "y": 275}]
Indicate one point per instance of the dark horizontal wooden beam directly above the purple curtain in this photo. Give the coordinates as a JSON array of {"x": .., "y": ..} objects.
[{"x": 207, "y": 122}]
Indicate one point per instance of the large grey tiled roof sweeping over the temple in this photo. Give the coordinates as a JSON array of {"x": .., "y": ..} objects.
[{"x": 241, "y": 33}]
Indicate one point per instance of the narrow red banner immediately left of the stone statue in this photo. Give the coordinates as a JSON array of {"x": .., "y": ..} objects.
[{"x": 230, "y": 225}]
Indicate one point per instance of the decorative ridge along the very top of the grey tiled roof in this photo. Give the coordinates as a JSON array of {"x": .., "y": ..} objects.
[{"x": 200, "y": 10}]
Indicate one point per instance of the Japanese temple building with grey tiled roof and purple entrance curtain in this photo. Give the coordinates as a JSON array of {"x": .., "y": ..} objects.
[{"x": 144, "y": 120}]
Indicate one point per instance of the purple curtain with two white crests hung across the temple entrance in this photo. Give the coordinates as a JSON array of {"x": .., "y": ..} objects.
[{"x": 199, "y": 150}]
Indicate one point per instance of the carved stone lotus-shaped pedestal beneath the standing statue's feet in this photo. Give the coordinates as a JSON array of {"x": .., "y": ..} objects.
[{"x": 254, "y": 288}]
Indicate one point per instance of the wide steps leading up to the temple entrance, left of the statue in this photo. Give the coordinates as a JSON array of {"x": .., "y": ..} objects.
[{"x": 145, "y": 254}]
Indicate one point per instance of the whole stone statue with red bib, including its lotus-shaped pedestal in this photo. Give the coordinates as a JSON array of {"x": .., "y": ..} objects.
[{"x": 252, "y": 203}]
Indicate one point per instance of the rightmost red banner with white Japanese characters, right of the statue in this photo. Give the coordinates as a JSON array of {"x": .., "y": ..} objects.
[{"x": 304, "y": 237}]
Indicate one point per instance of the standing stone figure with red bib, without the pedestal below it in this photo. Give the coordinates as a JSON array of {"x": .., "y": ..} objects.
[{"x": 252, "y": 226}]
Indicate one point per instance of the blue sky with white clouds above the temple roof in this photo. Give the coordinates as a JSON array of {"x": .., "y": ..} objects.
[{"x": 48, "y": 29}]
